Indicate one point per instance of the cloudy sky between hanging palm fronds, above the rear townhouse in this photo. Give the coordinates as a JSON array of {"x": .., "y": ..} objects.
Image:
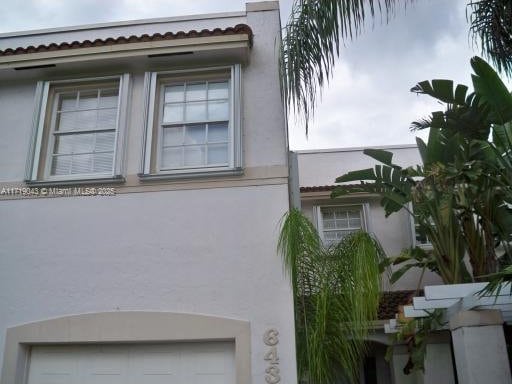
[{"x": 369, "y": 101}]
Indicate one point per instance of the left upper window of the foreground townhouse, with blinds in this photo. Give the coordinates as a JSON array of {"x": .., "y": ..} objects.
[{"x": 78, "y": 130}]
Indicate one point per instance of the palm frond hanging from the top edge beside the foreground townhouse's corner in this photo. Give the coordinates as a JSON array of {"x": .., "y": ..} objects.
[{"x": 313, "y": 35}]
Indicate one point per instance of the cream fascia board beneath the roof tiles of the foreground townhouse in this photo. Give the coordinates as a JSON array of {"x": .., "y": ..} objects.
[{"x": 125, "y": 50}]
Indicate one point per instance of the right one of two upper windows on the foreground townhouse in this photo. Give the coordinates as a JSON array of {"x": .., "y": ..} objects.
[{"x": 193, "y": 122}]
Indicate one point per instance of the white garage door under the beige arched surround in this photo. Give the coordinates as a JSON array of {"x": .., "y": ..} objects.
[{"x": 179, "y": 363}]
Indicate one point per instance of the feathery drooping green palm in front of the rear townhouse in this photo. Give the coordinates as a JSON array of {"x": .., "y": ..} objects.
[{"x": 336, "y": 295}]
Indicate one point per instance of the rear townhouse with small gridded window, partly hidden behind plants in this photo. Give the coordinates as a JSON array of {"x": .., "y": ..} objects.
[{"x": 334, "y": 218}]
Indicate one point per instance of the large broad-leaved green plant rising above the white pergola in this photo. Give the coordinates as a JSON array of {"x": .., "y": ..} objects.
[{"x": 461, "y": 194}]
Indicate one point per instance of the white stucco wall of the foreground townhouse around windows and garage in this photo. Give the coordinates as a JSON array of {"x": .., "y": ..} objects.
[{"x": 209, "y": 248}]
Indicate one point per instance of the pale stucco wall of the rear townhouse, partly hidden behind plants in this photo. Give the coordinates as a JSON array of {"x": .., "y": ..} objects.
[{"x": 320, "y": 168}]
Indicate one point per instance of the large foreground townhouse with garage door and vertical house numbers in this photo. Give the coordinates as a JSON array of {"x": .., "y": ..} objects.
[{"x": 143, "y": 174}]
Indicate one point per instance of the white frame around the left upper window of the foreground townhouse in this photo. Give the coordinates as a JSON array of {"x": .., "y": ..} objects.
[{"x": 41, "y": 126}]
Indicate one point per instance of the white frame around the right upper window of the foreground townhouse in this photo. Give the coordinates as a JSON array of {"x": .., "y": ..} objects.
[{"x": 153, "y": 87}]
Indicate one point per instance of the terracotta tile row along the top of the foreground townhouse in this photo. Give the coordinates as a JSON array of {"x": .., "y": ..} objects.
[{"x": 239, "y": 29}]
